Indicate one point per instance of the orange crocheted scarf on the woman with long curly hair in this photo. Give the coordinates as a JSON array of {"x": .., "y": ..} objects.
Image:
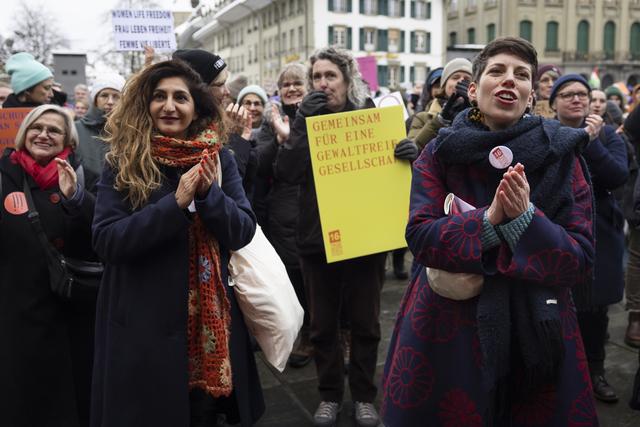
[{"x": 209, "y": 318}]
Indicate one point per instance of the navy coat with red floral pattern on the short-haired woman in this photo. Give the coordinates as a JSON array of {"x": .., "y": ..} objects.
[{"x": 433, "y": 373}]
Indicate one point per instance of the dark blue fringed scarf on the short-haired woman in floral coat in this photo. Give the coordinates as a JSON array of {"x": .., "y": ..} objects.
[{"x": 507, "y": 313}]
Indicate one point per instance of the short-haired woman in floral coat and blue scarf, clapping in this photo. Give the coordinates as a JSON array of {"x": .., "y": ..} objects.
[{"x": 508, "y": 352}]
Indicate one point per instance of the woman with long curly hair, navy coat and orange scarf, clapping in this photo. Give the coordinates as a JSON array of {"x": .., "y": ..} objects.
[{"x": 164, "y": 228}]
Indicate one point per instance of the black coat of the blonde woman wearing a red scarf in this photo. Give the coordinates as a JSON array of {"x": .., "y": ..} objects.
[{"x": 44, "y": 360}]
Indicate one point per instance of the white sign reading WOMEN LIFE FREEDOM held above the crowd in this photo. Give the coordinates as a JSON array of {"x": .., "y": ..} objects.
[{"x": 135, "y": 29}]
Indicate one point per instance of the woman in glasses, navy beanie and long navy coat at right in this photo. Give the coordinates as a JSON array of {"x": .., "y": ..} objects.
[{"x": 606, "y": 157}]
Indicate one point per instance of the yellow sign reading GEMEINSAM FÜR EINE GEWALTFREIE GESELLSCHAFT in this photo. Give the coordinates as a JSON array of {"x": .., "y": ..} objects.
[{"x": 362, "y": 189}]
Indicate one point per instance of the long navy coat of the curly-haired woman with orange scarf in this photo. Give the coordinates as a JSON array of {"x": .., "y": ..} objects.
[{"x": 140, "y": 370}]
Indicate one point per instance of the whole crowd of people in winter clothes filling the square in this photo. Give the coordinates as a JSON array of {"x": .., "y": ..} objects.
[{"x": 162, "y": 176}]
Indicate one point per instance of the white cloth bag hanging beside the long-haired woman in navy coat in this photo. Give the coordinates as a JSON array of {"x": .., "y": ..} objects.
[{"x": 267, "y": 299}]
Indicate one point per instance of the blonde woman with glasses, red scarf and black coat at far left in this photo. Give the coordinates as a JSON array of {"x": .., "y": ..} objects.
[{"x": 45, "y": 355}]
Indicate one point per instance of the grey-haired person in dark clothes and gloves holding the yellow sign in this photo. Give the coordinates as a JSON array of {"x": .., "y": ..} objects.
[{"x": 335, "y": 85}]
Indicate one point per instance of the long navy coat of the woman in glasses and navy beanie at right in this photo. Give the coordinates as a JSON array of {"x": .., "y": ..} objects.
[{"x": 607, "y": 161}]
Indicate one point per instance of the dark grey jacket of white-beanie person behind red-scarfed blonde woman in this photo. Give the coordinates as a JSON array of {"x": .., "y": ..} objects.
[{"x": 91, "y": 149}]
